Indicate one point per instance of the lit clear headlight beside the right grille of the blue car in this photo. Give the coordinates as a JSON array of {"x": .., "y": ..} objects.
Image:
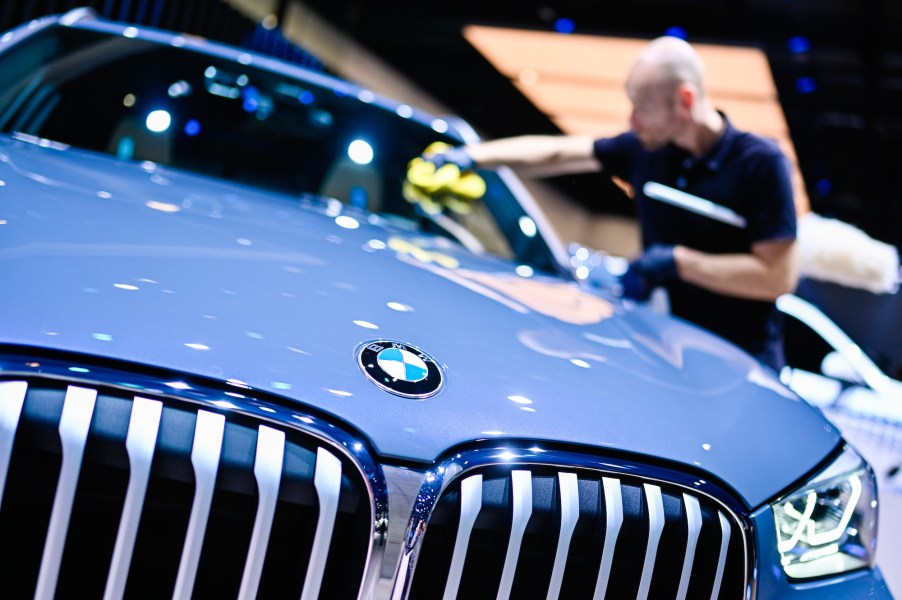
[{"x": 829, "y": 525}]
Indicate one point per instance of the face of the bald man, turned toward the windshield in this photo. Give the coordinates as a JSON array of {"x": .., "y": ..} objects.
[{"x": 654, "y": 117}]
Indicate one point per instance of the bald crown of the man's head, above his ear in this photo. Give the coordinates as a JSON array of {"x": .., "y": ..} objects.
[{"x": 668, "y": 61}]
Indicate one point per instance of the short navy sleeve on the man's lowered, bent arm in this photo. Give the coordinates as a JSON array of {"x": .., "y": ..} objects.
[{"x": 771, "y": 213}]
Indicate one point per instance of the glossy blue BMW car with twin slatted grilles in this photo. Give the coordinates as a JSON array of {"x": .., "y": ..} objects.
[{"x": 241, "y": 357}]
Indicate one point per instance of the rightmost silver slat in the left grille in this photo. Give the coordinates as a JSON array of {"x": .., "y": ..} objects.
[{"x": 327, "y": 480}]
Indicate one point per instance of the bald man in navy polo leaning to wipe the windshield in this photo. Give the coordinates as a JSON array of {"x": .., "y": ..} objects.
[{"x": 719, "y": 276}]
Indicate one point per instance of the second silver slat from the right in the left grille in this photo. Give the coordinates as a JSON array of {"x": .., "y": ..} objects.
[{"x": 268, "y": 473}]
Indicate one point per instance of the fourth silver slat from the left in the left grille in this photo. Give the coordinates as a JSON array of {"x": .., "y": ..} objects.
[{"x": 208, "y": 434}]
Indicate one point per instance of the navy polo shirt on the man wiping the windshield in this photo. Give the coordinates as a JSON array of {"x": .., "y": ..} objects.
[{"x": 743, "y": 172}]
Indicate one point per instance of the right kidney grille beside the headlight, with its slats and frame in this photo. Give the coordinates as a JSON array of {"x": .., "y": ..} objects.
[{"x": 557, "y": 525}]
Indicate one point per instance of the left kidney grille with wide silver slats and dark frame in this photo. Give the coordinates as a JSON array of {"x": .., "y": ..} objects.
[{"x": 118, "y": 495}]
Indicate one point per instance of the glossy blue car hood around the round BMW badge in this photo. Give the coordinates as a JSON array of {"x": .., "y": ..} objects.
[{"x": 145, "y": 264}]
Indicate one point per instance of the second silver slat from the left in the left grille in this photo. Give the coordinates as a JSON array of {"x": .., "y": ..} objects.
[{"x": 78, "y": 408}]
